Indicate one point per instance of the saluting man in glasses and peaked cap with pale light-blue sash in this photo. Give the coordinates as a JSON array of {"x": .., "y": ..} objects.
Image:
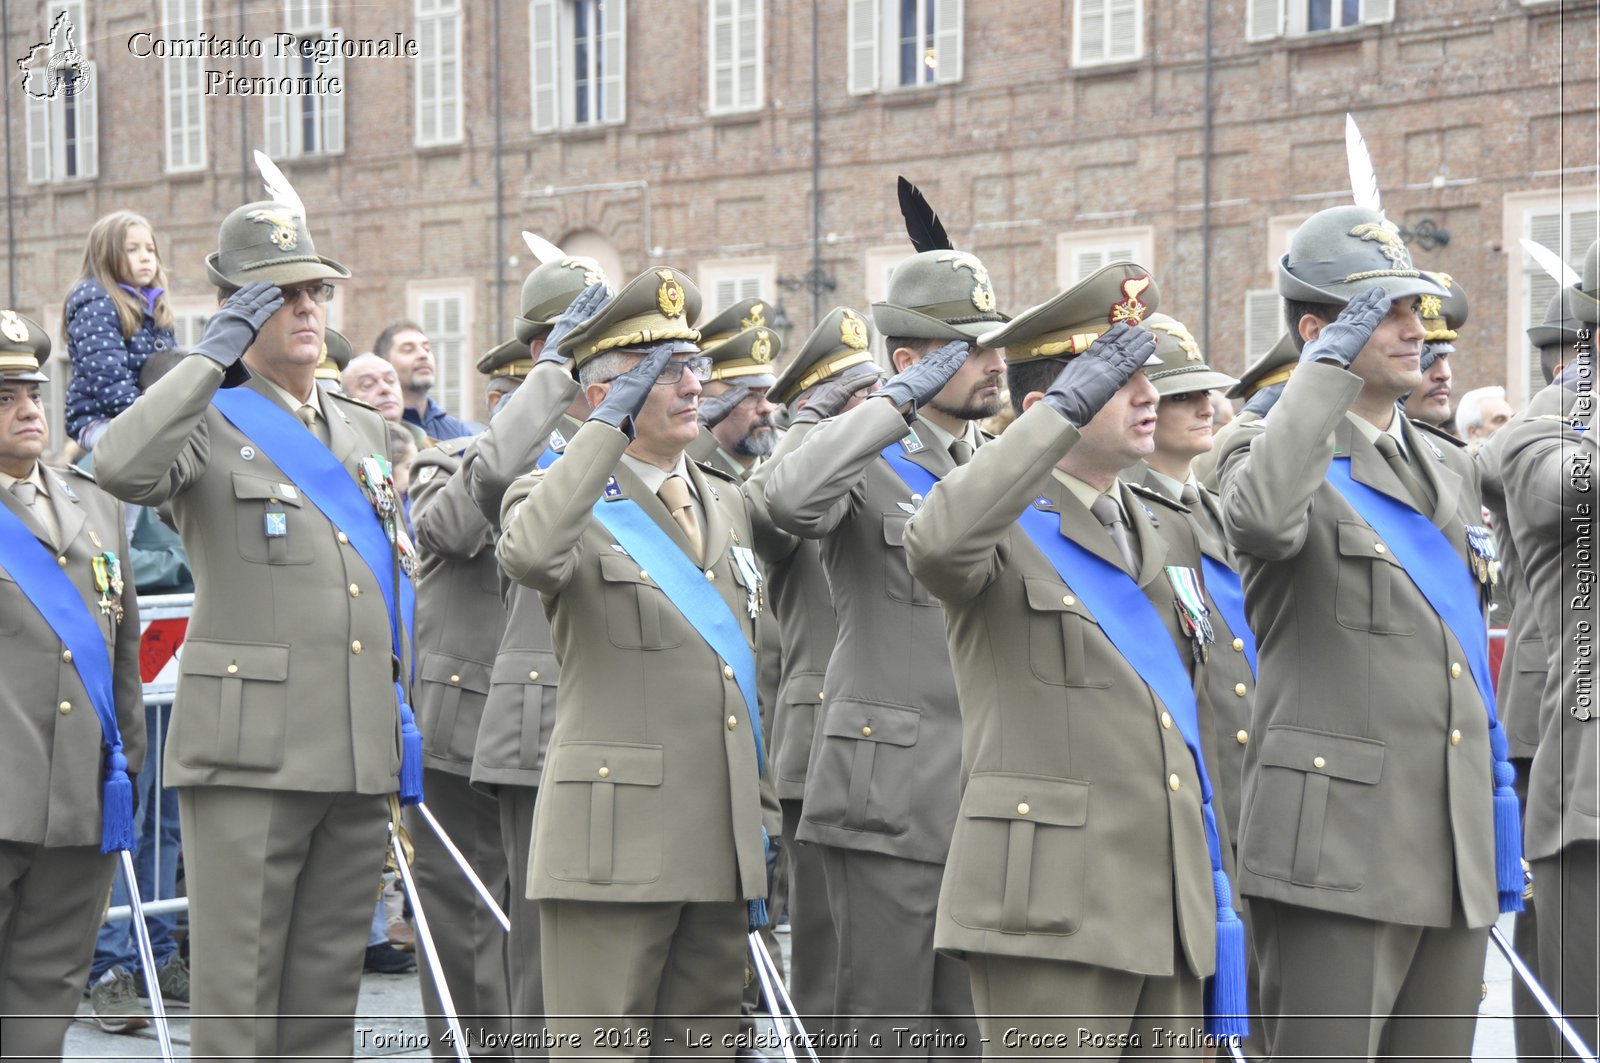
[{"x": 649, "y": 835}]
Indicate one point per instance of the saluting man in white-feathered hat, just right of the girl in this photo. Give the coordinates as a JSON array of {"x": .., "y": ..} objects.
[{"x": 290, "y": 724}]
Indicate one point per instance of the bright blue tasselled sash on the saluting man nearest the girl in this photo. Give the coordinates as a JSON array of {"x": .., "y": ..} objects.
[{"x": 334, "y": 491}]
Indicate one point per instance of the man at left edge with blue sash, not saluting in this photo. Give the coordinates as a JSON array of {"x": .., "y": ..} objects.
[{"x": 71, "y": 708}]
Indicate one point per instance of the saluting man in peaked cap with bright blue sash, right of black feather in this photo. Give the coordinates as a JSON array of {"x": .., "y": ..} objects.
[{"x": 1086, "y": 884}]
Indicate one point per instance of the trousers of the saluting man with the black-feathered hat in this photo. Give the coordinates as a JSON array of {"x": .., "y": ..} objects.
[{"x": 889, "y": 974}]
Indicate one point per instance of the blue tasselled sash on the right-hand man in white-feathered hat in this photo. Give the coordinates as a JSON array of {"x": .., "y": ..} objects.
[{"x": 1434, "y": 568}]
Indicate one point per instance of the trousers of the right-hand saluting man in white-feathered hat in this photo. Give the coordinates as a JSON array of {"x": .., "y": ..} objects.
[{"x": 1342, "y": 987}]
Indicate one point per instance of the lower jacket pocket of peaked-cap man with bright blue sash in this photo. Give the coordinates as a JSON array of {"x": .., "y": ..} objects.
[{"x": 1022, "y": 851}]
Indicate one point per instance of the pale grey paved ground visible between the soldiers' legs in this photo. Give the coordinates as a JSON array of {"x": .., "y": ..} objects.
[{"x": 391, "y": 1017}]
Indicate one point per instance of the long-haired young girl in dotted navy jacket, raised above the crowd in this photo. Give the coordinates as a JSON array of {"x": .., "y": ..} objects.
[{"x": 116, "y": 318}]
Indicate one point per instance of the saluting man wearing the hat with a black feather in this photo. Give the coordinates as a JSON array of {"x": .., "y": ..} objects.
[{"x": 882, "y": 785}]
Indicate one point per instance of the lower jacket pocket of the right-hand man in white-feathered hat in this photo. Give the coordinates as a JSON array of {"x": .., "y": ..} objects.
[{"x": 1313, "y": 808}]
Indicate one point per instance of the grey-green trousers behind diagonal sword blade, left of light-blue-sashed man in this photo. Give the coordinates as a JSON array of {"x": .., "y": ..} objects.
[{"x": 470, "y": 941}]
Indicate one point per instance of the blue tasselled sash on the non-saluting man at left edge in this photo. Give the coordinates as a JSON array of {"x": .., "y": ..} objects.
[{"x": 58, "y": 601}]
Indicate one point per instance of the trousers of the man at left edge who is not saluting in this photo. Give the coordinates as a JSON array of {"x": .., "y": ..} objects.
[{"x": 50, "y": 905}]
